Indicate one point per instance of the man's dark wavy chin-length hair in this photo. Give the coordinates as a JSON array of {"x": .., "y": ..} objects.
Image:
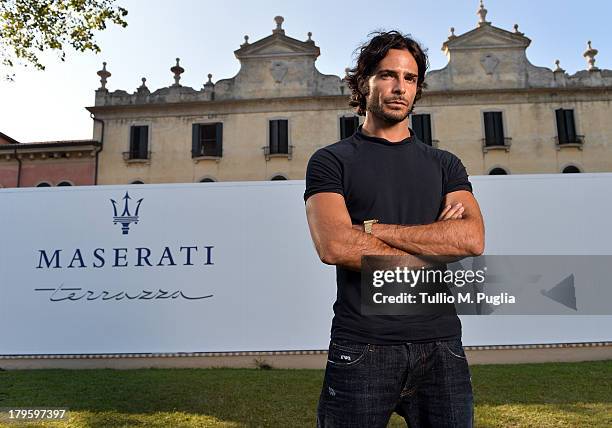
[{"x": 371, "y": 53}]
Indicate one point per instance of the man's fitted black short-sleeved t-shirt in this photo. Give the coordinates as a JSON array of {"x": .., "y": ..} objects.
[{"x": 397, "y": 183}]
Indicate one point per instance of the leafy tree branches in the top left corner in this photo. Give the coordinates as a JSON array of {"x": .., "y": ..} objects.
[{"x": 28, "y": 27}]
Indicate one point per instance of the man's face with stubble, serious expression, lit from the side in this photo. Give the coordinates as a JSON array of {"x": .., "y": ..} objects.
[{"x": 393, "y": 86}]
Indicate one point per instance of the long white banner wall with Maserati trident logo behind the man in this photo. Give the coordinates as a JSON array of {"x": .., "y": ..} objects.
[{"x": 213, "y": 267}]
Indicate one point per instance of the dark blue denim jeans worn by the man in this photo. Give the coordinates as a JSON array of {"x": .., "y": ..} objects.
[{"x": 429, "y": 384}]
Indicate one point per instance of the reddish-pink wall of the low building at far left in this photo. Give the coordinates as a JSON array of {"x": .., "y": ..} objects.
[{"x": 79, "y": 172}]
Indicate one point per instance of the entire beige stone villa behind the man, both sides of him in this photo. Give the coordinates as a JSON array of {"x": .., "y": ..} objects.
[{"x": 489, "y": 105}]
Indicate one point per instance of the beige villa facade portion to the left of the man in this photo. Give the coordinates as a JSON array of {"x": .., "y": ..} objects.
[{"x": 264, "y": 123}]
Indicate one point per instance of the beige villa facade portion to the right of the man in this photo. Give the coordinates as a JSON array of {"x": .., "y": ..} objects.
[{"x": 501, "y": 114}]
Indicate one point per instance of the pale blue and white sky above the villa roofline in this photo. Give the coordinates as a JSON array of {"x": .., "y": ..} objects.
[{"x": 50, "y": 105}]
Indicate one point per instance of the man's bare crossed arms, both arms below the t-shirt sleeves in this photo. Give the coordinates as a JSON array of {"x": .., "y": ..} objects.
[{"x": 458, "y": 233}]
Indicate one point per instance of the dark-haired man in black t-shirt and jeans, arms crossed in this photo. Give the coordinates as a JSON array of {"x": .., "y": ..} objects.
[{"x": 384, "y": 192}]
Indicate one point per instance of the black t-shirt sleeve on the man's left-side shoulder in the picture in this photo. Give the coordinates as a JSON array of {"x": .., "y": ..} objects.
[{"x": 323, "y": 174}]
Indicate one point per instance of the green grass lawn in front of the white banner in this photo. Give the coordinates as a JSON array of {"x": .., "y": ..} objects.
[{"x": 526, "y": 395}]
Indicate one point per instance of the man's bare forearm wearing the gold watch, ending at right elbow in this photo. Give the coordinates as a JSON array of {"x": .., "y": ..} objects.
[{"x": 443, "y": 238}]
